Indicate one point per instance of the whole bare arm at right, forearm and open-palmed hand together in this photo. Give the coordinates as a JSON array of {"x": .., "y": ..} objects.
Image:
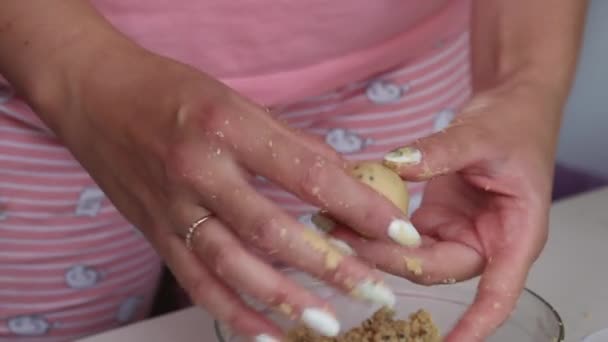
[{"x": 485, "y": 208}]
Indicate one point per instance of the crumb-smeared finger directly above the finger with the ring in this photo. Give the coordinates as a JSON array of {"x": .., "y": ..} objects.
[{"x": 260, "y": 223}]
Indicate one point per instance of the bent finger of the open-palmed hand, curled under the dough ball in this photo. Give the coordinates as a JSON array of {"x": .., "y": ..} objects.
[{"x": 435, "y": 262}]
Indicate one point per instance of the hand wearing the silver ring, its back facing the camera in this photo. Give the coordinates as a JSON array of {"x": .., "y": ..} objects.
[{"x": 169, "y": 144}]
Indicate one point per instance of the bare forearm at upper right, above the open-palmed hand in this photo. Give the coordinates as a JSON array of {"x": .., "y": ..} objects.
[{"x": 534, "y": 40}]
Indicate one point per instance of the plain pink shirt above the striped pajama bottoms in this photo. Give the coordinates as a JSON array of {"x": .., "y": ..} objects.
[{"x": 280, "y": 50}]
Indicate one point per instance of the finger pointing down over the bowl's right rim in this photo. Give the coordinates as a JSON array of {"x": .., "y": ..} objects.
[{"x": 499, "y": 288}]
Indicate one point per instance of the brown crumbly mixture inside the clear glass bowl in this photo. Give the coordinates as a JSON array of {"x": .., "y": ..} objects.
[{"x": 381, "y": 327}]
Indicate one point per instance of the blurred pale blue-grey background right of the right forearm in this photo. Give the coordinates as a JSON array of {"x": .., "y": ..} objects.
[{"x": 583, "y": 148}]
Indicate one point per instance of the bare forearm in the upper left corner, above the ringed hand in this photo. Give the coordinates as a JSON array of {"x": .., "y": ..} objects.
[{"x": 42, "y": 43}]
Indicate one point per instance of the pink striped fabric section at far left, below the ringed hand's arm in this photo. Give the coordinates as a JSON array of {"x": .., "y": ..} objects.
[{"x": 70, "y": 265}]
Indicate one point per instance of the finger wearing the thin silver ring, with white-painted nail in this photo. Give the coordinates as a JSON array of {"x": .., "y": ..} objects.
[{"x": 224, "y": 254}]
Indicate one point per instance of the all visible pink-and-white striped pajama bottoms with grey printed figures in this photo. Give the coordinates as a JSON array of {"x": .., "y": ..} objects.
[{"x": 70, "y": 265}]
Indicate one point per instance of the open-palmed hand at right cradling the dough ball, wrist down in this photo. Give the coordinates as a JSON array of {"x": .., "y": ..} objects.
[{"x": 485, "y": 207}]
